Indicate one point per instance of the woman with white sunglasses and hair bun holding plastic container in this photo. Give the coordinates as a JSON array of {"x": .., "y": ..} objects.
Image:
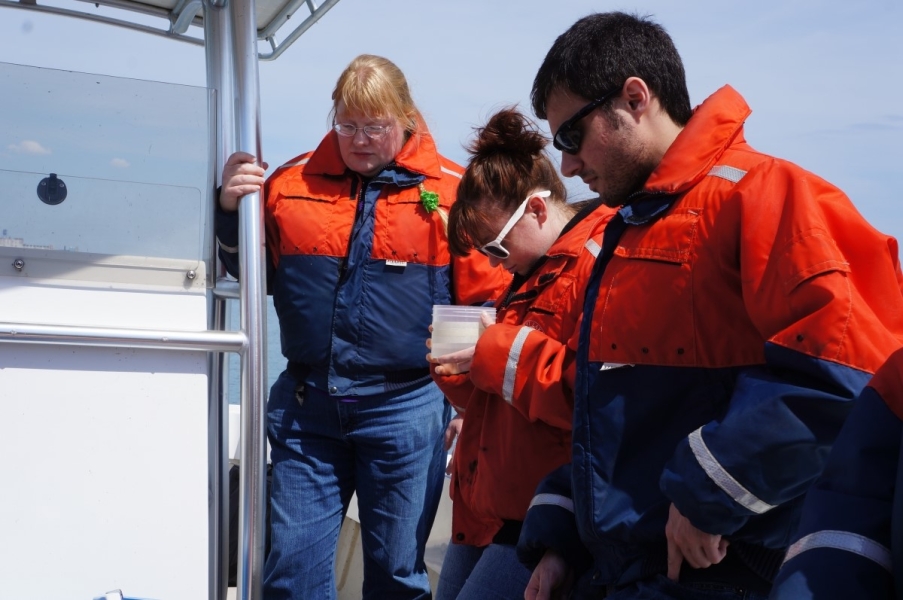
[{"x": 514, "y": 387}]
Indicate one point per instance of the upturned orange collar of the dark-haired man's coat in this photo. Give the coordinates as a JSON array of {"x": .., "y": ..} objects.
[{"x": 714, "y": 126}]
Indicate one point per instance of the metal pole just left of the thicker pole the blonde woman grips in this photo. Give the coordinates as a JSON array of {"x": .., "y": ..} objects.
[{"x": 218, "y": 52}]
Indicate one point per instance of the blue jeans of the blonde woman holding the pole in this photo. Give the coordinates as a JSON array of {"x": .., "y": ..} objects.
[{"x": 389, "y": 448}]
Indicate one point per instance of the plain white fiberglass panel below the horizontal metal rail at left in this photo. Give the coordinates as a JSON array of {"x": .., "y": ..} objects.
[{"x": 104, "y": 468}]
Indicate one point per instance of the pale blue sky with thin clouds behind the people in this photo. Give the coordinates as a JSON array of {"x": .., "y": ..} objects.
[{"x": 823, "y": 77}]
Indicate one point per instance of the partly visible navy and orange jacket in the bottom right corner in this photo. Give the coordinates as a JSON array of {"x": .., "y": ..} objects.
[{"x": 850, "y": 540}]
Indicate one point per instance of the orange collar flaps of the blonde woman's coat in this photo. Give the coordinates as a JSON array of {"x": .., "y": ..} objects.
[{"x": 418, "y": 156}]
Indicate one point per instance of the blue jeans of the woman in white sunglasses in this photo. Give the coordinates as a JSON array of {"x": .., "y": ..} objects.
[{"x": 488, "y": 573}]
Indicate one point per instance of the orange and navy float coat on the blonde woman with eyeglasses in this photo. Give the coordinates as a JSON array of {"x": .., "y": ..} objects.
[{"x": 356, "y": 265}]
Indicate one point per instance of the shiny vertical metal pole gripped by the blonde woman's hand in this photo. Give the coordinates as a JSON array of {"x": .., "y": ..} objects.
[{"x": 253, "y": 302}]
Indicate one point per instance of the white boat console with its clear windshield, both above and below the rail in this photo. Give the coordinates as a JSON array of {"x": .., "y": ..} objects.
[{"x": 105, "y": 462}]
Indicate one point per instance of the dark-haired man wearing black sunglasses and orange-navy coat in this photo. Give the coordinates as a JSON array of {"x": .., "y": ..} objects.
[{"x": 737, "y": 307}]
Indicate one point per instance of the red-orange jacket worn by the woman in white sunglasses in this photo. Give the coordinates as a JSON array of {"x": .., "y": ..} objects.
[{"x": 517, "y": 399}]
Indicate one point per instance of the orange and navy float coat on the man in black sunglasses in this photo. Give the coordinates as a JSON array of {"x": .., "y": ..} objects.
[{"x": 738, "y": 306}]
